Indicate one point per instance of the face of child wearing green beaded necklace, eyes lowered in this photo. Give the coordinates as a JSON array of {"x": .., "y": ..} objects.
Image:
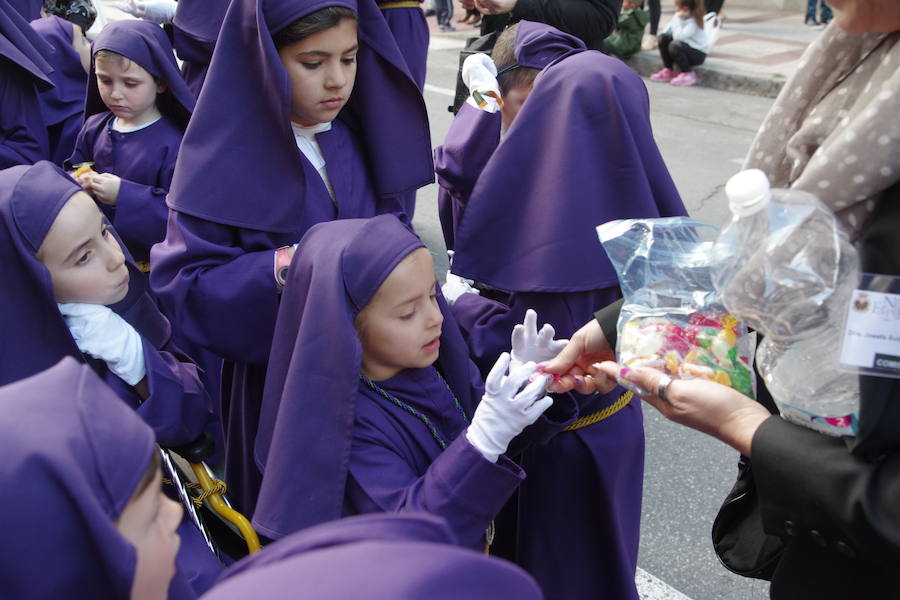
[{"x": 400, "y": 328}]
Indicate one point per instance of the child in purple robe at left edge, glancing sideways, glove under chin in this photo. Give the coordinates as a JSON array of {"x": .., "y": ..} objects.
[{"x": 74, "y": 292}]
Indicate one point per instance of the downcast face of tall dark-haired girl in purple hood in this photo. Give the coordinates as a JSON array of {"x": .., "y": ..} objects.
[{"x": 322, "y": 68}]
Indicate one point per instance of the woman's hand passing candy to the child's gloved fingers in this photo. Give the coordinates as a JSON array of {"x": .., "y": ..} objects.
[{"x": 574, "y": 367}]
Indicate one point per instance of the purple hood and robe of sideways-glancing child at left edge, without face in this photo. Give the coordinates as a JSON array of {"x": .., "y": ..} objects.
[{"x": 35, "y": 335}]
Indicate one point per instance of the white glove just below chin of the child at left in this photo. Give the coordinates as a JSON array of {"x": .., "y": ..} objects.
[{"x": 101, "y": 333}]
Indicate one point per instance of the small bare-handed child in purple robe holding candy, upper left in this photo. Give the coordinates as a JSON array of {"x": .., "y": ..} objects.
[{"x": 136, "y": 111}]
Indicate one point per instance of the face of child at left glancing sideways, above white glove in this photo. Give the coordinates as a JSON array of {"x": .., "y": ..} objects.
[{"x": 85, "y": 261}]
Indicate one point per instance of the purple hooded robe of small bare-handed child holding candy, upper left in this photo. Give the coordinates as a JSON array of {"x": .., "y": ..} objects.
[{"x": 145, "y": 158}]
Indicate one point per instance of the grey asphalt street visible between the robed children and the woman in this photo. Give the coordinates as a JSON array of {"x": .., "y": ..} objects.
[{"x": 703, "y": 135}]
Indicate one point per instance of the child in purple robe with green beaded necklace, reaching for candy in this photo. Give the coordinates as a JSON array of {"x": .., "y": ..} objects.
[{"x": 371, "y": 402}]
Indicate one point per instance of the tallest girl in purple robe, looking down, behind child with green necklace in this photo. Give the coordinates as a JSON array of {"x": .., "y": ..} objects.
[{"x": 290, "y": 130}]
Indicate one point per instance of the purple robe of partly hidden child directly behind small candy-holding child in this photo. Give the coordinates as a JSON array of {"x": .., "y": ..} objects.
[{"x": 63, "y": 105}]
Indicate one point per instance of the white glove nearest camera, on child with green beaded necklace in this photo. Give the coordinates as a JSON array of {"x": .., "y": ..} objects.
[{"x": 503, "y": 413}]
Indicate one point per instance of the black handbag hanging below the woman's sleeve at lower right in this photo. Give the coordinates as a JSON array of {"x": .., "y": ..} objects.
[{"x": 739, "y": 540}]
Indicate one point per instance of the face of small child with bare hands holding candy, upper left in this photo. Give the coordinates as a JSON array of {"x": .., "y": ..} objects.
[{"x": 127, "y": 89}]
